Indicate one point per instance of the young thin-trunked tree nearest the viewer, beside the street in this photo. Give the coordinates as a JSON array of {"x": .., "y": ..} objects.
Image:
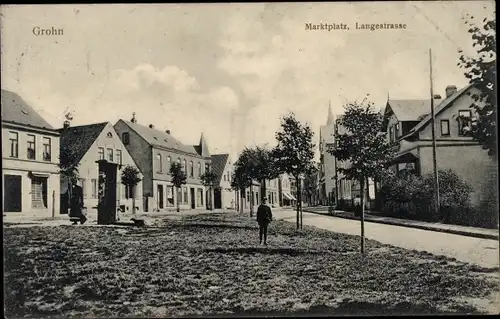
[{"x": 364, "y": 146}]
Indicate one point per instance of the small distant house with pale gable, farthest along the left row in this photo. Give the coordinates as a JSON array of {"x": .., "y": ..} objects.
[{"x": 224, "y": 195}]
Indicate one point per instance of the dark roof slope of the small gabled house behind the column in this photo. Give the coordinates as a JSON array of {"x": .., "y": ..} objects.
[{"x": 79, "y": 139}]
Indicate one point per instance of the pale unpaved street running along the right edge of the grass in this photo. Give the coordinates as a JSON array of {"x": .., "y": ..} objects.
[{"x": 482, "y": 252}]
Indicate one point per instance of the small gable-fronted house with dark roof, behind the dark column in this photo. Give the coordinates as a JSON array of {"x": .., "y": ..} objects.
[{"x": 88, "y": 144}]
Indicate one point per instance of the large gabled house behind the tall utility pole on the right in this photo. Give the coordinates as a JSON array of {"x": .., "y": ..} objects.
[{"x": 409, "y": 124}]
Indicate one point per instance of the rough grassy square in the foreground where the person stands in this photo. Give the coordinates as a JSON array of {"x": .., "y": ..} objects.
[{"x": 211, "y": 264}]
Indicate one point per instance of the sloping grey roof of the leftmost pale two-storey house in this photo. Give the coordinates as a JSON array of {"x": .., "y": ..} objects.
[{"x": 18, "y": 111}]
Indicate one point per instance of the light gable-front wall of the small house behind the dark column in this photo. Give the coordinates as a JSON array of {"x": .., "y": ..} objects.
[{"x": 89, "y": 170}]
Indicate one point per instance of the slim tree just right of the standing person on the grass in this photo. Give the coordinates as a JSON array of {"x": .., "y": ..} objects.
[{"x": 294, "y": 153}]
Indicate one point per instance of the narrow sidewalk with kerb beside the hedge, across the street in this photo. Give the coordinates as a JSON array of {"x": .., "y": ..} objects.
[{"x": 438, "y": 227}]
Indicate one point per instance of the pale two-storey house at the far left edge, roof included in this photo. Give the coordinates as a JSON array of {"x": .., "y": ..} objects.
[{"x": 30, "y": 160}]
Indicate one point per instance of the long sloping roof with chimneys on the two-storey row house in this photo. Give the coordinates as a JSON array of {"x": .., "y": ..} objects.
[{"x": 159, "y": 138}]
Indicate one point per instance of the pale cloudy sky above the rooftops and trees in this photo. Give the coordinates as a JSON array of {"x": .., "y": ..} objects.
[{"x": 230, "y": 71}]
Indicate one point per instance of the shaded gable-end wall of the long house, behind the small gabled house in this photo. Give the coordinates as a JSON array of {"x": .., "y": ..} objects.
[{"x": 139, "y": 150}]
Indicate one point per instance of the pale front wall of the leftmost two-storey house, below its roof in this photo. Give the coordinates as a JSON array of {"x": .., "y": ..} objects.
[{"x": 21, "y": 166}]
